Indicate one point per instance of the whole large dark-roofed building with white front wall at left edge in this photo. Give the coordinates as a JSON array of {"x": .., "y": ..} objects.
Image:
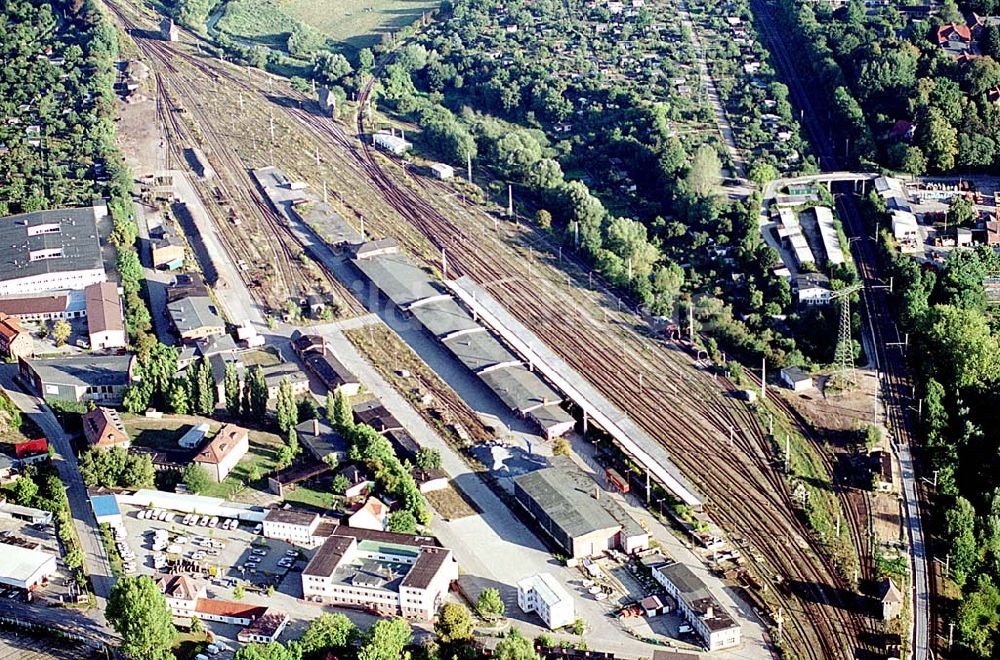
[{"x": 51, "y": 250}]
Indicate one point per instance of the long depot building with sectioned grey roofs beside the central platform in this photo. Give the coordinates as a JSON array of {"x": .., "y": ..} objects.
[{"x": 411, "y": 289}]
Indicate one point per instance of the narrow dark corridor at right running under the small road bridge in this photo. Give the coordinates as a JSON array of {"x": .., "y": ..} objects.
[{"x": 877, "y": 317}]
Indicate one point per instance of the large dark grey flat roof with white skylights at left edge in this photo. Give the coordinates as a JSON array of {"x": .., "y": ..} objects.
[{"x": 73, "y": 231}]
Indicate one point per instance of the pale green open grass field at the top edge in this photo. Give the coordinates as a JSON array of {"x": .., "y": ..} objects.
[{"x": 353, "y": 24}]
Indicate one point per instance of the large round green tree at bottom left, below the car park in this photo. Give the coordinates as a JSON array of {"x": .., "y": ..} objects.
[{"x": 138, "y": 612}]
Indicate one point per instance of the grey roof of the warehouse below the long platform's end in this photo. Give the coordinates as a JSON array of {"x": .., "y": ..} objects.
[{"x": 569, "y": 505}]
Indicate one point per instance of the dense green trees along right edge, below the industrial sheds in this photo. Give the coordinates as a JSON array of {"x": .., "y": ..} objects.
[{"x": 953, "y": 332}]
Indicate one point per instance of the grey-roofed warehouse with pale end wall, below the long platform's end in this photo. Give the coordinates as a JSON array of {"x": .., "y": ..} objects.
[{"x": 574, "y": 512}]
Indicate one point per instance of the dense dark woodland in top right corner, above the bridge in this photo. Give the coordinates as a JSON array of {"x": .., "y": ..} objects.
[{"x": 876, "y": 67}]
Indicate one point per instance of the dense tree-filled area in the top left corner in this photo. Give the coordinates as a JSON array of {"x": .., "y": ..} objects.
[{"x": 56, "y": 103}]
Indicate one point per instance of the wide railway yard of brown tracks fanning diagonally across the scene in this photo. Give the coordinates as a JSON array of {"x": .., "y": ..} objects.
[{"x": 805, "y": 585}]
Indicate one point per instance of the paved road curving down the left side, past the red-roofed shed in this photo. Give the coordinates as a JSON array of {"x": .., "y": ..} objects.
[{"x": 95, "y": 558}]
